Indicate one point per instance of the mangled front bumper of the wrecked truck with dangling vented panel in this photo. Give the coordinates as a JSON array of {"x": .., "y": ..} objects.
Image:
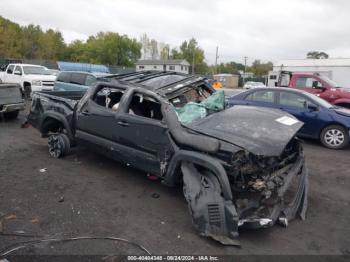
[{"x": 216, "y": 216}]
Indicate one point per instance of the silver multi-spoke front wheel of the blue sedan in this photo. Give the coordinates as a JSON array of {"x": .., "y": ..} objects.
[{"x": 334, "y": 137}]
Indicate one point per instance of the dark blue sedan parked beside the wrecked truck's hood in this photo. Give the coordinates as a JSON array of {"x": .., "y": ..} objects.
[{"x": 328, "y": 123}]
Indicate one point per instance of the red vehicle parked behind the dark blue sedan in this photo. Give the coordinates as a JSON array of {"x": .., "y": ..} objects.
[{"x": 318, "y": 85}]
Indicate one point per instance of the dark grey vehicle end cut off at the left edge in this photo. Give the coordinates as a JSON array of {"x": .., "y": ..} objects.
[{"x": 11, "y": 101}]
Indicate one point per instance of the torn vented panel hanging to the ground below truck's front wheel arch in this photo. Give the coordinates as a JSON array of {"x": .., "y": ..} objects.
[{"x": 212, "y": 215}]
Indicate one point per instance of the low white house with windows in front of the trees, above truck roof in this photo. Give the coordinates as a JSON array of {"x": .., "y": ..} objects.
[{"x": 176, "y": 65}]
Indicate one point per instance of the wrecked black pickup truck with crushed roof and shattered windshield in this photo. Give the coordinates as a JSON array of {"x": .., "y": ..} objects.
[{"x": 240, "y": 167}]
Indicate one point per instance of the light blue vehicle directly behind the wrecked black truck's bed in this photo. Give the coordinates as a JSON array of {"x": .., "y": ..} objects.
[{"x": 76, "y": 80}]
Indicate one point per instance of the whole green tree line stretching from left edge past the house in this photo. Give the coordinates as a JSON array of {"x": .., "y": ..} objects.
[{"x": 108, "y": 48}]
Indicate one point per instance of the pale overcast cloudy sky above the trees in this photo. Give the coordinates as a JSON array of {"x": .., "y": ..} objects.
[{"x": 259, "y": 29}]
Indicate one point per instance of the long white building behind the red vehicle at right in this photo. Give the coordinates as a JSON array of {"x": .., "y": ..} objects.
[{"x": 337, "y": 69}]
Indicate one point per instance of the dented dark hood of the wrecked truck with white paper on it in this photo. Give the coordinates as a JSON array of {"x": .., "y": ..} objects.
[{"x": 261, "y": 131}]
